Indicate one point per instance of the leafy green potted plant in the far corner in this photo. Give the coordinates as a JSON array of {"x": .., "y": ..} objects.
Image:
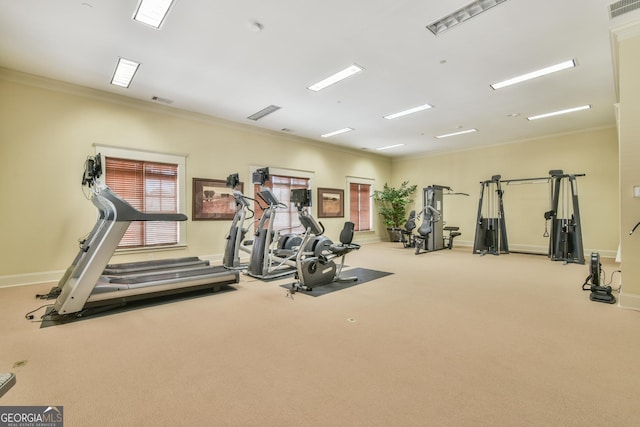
[{"x": 393, "y": 204}]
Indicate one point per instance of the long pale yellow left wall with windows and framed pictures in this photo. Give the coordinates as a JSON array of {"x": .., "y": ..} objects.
[{"x": 47, "y": 129}]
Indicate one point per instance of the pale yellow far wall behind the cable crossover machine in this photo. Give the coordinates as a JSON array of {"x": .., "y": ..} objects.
[{"x": 593, "y": 152}]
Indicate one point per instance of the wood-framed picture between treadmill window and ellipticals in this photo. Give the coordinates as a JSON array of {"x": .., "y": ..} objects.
[{"x": 212, "y": 199}]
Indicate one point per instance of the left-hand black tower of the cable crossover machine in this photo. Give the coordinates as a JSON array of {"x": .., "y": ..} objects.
[{"x": 491, "y": 231}]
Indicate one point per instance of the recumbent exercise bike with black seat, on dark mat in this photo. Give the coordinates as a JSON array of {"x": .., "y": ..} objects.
[{"x": 315, "y": 265}]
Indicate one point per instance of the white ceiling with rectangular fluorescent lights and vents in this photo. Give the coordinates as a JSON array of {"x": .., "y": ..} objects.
[{"x": 208, "y": 58}]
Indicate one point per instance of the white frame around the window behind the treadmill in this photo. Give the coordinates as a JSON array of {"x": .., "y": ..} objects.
[{"x": 151, "y": 156}]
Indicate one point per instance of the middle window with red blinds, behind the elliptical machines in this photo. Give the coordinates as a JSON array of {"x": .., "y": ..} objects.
[{"x": 281, "y": 186}]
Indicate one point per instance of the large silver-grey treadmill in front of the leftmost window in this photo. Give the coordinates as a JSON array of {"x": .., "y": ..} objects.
[{"x": 85, "y": 285}]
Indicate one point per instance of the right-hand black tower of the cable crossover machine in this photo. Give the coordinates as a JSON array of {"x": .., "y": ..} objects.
[{"x": 565, "y": 241}]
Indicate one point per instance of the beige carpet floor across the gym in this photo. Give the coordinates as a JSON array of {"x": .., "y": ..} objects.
[{"x": 449, "y": 339}]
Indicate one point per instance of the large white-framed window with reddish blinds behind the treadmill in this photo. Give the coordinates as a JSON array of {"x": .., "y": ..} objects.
[{"x": 150, "y": 182}]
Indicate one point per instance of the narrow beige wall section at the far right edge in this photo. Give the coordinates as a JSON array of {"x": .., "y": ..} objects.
[{"x": 628, "y": 49}]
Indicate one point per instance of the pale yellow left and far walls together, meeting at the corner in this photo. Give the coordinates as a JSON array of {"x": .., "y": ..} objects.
[{"x": 48, "y": 128}]
